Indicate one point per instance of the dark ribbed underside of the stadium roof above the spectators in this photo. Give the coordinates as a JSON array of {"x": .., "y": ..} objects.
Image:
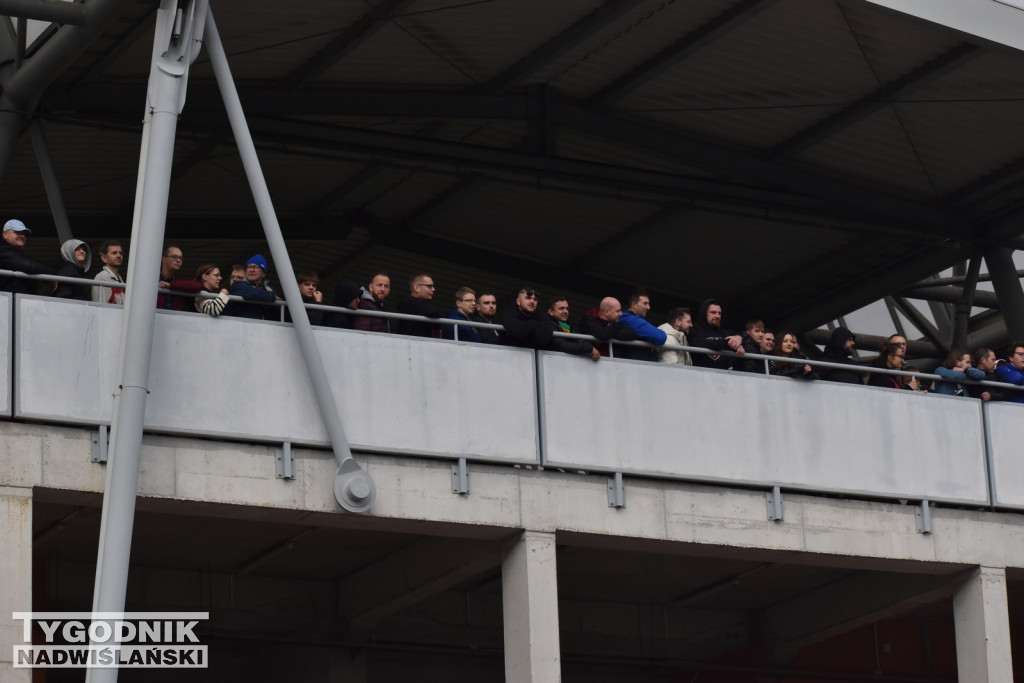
[{"x": 795, "y": 158}]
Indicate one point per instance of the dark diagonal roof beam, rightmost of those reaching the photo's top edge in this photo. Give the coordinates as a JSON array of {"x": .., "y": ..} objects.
[{"x": 707, "y": 34}]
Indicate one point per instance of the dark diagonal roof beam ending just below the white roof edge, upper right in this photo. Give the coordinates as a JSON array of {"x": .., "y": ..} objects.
[{"x": 877, "y": 101}]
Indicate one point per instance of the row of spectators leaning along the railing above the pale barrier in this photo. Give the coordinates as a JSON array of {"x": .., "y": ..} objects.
[{"x": 525, "y": 322}]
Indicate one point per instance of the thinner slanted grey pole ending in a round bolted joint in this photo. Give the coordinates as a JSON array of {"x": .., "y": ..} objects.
[{"x": 354, "y": 489}]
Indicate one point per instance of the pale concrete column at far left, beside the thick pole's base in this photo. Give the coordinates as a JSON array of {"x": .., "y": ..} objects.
[{"x": 16, "y": 576}]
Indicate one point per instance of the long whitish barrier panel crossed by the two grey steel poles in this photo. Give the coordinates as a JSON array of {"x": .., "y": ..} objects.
[{"x": 246, "y": 379}]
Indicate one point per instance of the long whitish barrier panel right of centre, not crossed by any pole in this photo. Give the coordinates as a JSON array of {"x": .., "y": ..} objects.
[{"x": 718, "y": 426}]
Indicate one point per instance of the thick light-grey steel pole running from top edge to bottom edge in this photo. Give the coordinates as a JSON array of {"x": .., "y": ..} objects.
[{"x": 177, "y": 45}]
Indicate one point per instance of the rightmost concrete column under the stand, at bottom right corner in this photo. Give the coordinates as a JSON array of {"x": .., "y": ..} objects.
[{"x": 983, "y": 620}]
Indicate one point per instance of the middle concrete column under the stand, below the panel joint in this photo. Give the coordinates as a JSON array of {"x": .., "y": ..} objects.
[{"x": 530, "y": 604}]
